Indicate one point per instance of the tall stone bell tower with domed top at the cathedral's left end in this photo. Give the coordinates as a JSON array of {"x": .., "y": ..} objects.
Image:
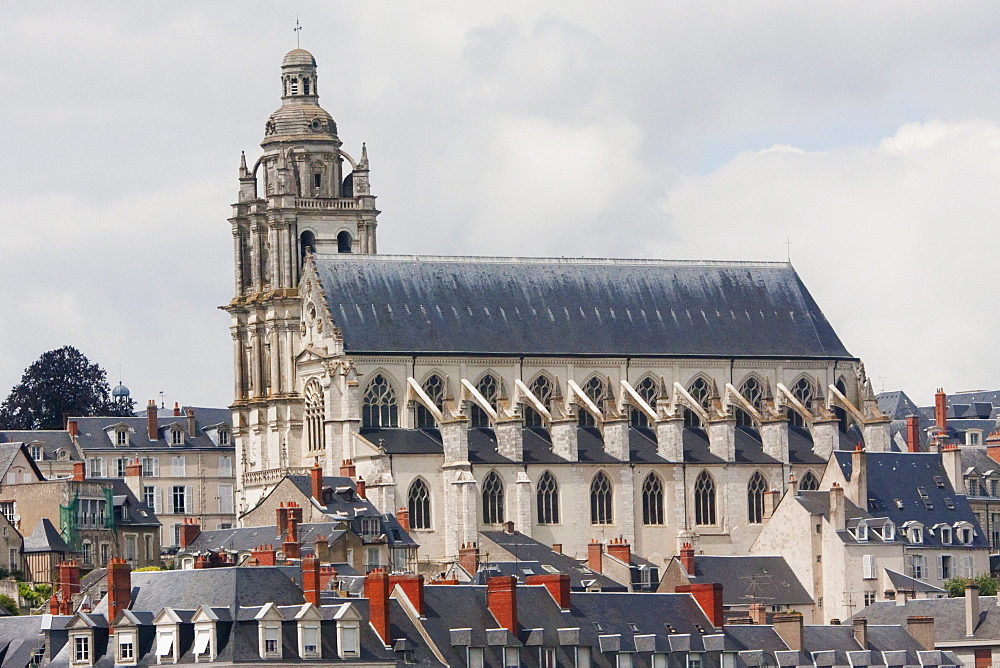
[{"x": 304, "y": 194}]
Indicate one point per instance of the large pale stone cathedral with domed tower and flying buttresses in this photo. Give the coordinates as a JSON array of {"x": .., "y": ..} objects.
[{"x": 652, "y": 401}]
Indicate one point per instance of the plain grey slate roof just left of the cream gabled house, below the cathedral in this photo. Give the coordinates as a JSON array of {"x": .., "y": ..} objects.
[{"x": 750, "y": 579}]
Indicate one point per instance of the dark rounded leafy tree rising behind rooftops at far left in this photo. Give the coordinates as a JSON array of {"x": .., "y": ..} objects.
[{"x": 60, "y": 383}]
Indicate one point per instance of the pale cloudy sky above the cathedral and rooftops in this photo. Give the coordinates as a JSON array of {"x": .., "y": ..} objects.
[{"x": 862, "y": 139}]
